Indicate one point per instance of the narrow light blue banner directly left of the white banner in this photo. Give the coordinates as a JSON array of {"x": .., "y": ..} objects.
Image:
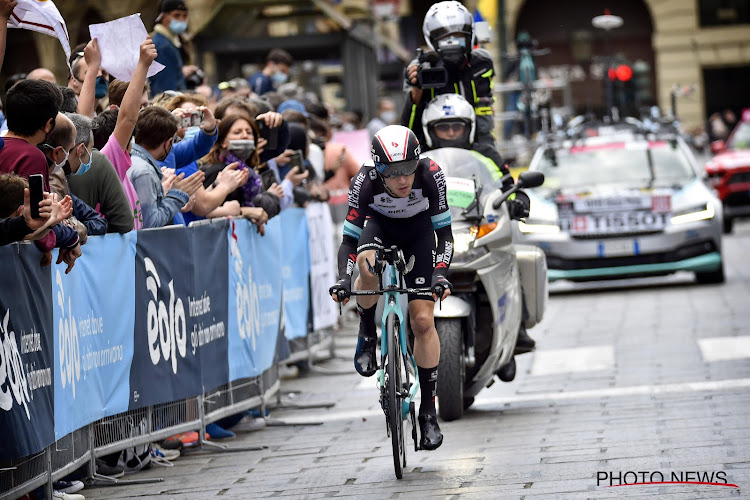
[{"x": 295, "y": 269}]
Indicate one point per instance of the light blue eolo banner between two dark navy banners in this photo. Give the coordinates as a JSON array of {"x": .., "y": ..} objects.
[{"x": 93, "y": 322}]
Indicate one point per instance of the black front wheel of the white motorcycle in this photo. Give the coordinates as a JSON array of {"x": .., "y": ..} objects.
[{"x": 450, "y": 387}]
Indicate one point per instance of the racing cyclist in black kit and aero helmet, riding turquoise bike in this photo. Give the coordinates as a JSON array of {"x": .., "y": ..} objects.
[{"x": 401, "y": 201}]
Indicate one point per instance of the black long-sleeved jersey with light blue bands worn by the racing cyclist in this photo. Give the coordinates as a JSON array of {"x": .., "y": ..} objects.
[{"x": 368, "y": 197}]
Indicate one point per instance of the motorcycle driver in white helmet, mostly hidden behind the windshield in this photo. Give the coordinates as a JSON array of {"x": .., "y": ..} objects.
[{"x": 448, "y": 121}]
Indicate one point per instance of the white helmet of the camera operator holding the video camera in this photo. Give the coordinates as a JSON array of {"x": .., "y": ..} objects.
[{"x": 445, "y": 18}]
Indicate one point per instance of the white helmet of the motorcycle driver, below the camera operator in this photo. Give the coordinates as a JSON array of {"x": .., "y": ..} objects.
[{"x": 444, "y": 110}]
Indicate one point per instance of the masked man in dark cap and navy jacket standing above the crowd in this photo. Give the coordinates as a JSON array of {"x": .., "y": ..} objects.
[{"x": 167, "y": 35}]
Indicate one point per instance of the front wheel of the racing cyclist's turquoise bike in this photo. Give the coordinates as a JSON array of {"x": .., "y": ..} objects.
[{"x": 394, "y": 370}]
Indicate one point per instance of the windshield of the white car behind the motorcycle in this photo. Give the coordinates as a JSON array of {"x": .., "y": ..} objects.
[{"x": 641, "y": 164}]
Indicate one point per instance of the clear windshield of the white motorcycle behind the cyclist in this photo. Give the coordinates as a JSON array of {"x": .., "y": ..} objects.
[{"x": 461, "y": 164}]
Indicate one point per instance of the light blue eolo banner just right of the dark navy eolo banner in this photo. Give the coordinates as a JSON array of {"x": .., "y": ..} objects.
[{"x": 254, "y": 297}]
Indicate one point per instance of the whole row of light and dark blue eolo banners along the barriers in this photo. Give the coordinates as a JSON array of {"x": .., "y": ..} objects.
[{"x": 144, "y": 318}]
